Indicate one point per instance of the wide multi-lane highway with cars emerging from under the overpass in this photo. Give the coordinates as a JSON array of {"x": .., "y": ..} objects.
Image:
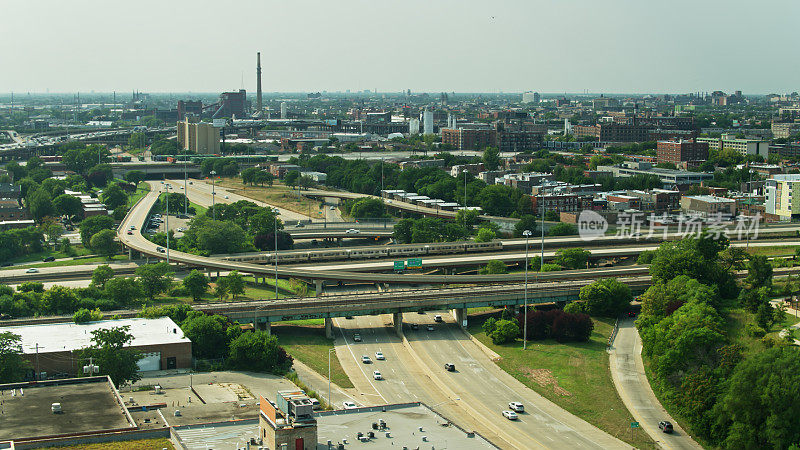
[{"x": 475, "y": 393}]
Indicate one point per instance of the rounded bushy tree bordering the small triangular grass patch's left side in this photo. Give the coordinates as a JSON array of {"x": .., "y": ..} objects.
[{"x": 259, "y": 351}]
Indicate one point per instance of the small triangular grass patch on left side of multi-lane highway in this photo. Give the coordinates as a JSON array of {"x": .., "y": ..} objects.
[{"x": 308, "y": 344}]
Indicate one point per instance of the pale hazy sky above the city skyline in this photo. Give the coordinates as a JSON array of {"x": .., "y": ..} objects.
[{"x": 608, "y": 46}]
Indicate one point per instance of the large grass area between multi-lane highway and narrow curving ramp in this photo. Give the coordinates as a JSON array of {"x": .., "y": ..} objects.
[{"x": 574, "y": 376}]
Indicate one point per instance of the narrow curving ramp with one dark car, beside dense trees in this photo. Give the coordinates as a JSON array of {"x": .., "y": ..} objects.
[{"x": 627, "y": 371}]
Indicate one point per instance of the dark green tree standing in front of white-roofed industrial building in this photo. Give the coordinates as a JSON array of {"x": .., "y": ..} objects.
[{"x": 109, "y": 353}]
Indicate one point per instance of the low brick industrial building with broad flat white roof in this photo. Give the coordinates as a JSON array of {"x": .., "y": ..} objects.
[{"x": 56, "y": 348}]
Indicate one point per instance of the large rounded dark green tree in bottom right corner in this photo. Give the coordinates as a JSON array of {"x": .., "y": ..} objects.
[{"x": 760, "y": 400}]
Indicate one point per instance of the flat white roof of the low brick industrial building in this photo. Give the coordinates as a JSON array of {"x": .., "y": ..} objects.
[{"x": 59, "y": 337}]
